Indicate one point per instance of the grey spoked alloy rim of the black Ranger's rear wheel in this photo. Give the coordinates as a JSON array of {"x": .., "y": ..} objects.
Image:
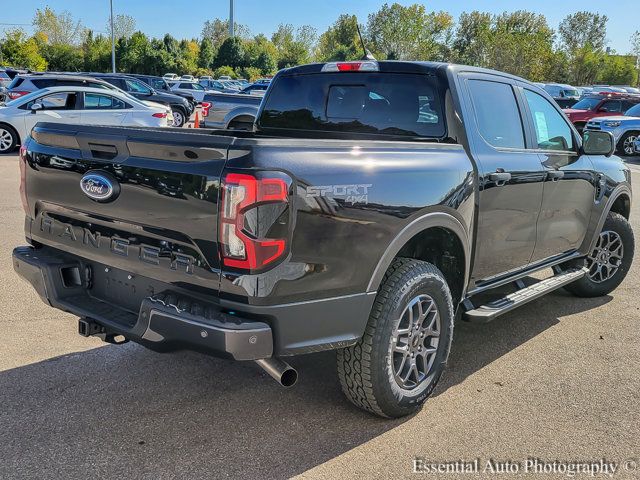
[{"x": 415, "y": 342}]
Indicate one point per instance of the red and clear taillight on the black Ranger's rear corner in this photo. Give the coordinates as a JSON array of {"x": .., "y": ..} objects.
[{"x": 242, "y": 194}]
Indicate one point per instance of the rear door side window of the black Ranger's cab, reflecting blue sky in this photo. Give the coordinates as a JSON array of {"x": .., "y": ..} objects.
[{"x": 497, "y": 113}]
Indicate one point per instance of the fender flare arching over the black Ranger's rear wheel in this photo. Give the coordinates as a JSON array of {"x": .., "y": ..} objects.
[{"x": 424, "y": 222}]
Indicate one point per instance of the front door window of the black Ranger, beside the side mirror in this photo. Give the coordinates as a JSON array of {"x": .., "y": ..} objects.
[{"x": 552, "y": 131}]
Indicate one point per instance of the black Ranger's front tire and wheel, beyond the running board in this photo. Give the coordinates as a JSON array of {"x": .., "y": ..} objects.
[{"x": 610, "y": 261}]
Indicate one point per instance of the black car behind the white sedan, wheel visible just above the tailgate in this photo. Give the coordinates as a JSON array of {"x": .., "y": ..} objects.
[{"x": 179, "y": 106}]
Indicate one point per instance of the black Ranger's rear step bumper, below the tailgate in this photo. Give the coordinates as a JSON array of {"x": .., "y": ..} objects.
[{"x": 165, "y": 322}]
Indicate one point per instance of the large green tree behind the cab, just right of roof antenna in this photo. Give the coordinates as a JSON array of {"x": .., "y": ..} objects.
[{"x": 409, "y": 33}]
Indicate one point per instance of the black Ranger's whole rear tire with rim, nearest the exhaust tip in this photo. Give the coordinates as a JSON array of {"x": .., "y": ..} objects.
[{"x": 400, "y": 358}]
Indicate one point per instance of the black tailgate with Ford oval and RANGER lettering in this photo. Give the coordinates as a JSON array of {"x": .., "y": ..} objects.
[{"x": 160, "y": 220}]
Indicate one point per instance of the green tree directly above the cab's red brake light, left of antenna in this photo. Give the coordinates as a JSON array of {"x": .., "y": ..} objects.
[{"x": 340, "y": 41}]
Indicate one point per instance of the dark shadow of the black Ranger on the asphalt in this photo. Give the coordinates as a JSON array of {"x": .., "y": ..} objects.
[{"x": 126, "y": 411}]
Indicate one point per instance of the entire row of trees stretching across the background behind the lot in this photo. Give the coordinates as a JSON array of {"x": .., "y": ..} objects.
[{"x": 521, "y": 42}]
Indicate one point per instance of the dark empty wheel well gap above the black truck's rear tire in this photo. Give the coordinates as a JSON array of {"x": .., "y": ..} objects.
[{"x": 443, "y": 248}]
